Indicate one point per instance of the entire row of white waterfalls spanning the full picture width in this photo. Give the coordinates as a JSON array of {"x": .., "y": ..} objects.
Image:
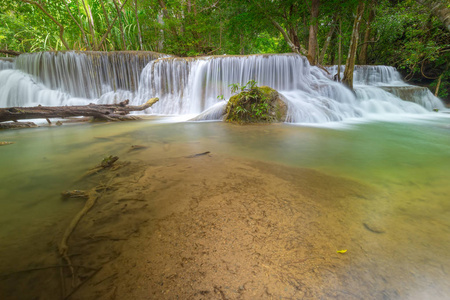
[{"x": 188, "y": 86}]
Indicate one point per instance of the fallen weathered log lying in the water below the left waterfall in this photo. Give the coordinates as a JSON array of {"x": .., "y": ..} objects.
[{"x": 109, "y": 112}]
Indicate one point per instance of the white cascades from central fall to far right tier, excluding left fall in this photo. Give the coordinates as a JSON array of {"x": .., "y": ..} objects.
[{"x": 190, "y": 86}]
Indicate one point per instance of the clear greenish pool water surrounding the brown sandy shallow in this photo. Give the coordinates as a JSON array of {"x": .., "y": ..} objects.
[{"x": 408, "y": 162}]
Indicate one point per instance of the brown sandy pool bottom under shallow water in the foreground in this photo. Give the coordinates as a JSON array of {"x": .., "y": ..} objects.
[{"x": 219, "y": 227}]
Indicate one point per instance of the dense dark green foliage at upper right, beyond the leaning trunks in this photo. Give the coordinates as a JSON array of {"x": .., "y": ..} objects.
[{"x": 413, "y": 40}]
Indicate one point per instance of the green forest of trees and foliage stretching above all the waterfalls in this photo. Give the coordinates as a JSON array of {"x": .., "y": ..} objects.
[{"x": 410, "y": 35}]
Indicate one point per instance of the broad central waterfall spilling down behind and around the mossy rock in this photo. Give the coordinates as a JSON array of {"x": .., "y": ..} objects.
[{"x": 187, "y": 86}]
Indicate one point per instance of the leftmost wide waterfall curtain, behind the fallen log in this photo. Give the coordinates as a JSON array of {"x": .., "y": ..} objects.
[{"x": 67, "y": 78}]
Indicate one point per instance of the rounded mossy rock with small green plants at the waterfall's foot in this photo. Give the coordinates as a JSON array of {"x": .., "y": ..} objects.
[{"x": 258, "y": 105}]
